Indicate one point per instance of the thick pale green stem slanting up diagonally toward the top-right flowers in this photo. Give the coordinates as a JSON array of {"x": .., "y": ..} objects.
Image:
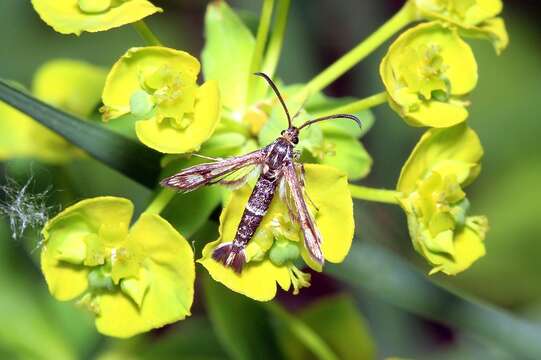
[{"x": 402, "y": 18}]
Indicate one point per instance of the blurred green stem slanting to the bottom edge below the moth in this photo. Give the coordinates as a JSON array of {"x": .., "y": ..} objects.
[{"x": 303, "y": 332}]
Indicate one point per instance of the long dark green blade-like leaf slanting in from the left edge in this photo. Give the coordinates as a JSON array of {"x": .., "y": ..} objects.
[{"x": 122, "y": 154}]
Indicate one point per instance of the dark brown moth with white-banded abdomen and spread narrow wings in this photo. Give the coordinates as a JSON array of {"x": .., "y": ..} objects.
[{"x": 279, "y": 168}]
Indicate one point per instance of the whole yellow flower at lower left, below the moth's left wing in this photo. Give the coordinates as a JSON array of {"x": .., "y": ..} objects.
[{"x": 133, "y": 279}]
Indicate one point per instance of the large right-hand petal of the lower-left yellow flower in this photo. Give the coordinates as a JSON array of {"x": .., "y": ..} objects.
[{"x": 171, "y": 274}]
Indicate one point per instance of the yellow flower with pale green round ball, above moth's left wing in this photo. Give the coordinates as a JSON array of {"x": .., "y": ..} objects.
[{"x": 158, "y": 86}]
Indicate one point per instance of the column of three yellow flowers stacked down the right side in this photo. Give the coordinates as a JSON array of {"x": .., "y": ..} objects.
[{"x": 428, "y": 71}]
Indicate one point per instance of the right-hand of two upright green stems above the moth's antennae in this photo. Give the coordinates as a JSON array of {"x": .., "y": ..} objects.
[{"x": 277, "y": 38}]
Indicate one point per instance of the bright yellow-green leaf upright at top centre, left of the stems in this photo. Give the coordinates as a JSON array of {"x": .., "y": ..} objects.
[{"x": 227, "y": 53}]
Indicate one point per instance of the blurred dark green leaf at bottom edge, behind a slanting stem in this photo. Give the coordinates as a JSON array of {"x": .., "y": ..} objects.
[{"x": 331, "y": 318}]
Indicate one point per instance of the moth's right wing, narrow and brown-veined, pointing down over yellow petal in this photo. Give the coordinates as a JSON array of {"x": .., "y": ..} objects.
[{"x": 312, "y": 237}]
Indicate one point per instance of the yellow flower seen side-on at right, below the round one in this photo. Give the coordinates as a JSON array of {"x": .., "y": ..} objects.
[{"x": 432, "y": 181}]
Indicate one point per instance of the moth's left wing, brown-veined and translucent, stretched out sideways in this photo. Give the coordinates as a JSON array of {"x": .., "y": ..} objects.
[{"x": 210, "y": 173}]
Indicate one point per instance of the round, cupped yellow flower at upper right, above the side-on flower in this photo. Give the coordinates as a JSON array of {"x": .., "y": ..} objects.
[{"x": 426, "y": 72}]
